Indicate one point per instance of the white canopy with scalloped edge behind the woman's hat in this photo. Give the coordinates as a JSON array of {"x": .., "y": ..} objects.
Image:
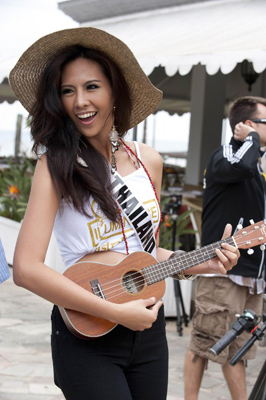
[{"x": 217, "y": 34}]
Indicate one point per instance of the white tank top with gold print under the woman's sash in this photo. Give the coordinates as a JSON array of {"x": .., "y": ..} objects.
[{"x": 78, "y": 235}]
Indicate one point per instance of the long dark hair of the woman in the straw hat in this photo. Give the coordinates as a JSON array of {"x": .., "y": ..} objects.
[{"x": 53, "y": 131}]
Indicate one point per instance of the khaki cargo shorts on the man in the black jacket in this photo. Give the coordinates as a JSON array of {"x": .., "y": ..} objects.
[{"x": 218, "y": 300}]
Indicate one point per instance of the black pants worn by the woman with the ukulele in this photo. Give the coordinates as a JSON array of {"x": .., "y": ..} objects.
[{"x": 121, "y": 365}]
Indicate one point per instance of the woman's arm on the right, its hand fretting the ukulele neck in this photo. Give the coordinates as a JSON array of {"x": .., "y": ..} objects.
[{"x": 226, "y": 258}]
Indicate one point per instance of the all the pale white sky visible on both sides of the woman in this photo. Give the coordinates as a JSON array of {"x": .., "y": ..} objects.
[{"x": 22, "y": 22}]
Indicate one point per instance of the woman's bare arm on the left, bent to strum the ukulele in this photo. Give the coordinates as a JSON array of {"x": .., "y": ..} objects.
[{"x": 31, "y": 273}]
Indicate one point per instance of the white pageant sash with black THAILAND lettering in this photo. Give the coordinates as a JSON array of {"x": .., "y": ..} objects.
[{"x": 137, "y": 215}]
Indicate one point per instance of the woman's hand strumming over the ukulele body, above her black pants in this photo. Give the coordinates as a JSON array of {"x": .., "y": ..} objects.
[{"x": 138, "y": 315}]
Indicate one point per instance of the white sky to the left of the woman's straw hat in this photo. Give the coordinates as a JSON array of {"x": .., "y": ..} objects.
[{"x": 22, "y": 22}]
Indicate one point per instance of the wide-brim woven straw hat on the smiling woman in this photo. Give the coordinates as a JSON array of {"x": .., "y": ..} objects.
[{"x": 26, "y": 76}]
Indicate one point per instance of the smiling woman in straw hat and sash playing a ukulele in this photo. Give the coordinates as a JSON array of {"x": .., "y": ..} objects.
[{"x": 100, "y": 196}]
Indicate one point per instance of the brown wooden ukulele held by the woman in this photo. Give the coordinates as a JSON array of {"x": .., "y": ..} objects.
[{"x": 140, "y": 276}]
